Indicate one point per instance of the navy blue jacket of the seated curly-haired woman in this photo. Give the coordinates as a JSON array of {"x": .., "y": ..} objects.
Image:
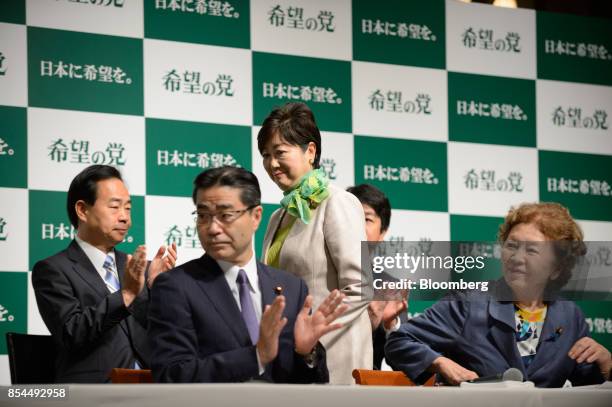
[{"x": 477, "y": 331}]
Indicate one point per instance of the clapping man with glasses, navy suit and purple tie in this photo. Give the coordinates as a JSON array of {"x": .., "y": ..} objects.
[{"x": 226, "y": 317}]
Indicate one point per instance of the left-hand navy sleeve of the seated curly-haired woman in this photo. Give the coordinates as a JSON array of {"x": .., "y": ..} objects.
[{"x": 421, "y": 340}]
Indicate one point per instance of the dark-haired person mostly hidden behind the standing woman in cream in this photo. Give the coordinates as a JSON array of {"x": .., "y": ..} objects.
[{"x": 384, "y": 314}]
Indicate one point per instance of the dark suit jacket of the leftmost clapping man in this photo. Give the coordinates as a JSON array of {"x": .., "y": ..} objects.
[{"x": 93, "y": 330}]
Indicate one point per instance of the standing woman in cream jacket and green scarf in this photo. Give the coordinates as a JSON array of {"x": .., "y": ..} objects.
[{"x": 317, "y": 233}]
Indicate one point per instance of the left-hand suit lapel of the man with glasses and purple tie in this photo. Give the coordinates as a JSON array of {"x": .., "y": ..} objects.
[{"x": 212, "y": 281}]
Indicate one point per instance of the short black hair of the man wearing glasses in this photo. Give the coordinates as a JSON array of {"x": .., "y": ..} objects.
[{"x": 234, "y": 177}]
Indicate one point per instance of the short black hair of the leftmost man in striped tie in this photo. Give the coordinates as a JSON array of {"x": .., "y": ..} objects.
[{"x": 84, "y": 187}]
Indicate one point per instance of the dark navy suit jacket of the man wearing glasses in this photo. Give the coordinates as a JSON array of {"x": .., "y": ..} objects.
[{"x": 197, "y": 332}]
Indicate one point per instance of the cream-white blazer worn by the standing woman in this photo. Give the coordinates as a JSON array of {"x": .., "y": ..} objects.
[{"x": 326, "y": 254}]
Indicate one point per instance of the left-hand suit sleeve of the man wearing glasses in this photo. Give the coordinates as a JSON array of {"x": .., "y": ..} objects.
[{"x": 175, "y": 353}]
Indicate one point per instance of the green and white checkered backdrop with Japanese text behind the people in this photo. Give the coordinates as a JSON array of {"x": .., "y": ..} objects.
[{"x": 456, "y": 111}]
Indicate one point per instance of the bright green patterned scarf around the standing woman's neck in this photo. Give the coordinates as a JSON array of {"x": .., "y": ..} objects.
[{"x": 309, "y": 192}]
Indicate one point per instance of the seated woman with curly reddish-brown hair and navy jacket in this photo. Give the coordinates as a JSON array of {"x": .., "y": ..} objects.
[{"x": 520, "y": 323}]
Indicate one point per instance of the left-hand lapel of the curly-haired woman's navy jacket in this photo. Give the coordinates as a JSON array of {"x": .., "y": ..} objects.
[{"x": 503, "y": 332}]
